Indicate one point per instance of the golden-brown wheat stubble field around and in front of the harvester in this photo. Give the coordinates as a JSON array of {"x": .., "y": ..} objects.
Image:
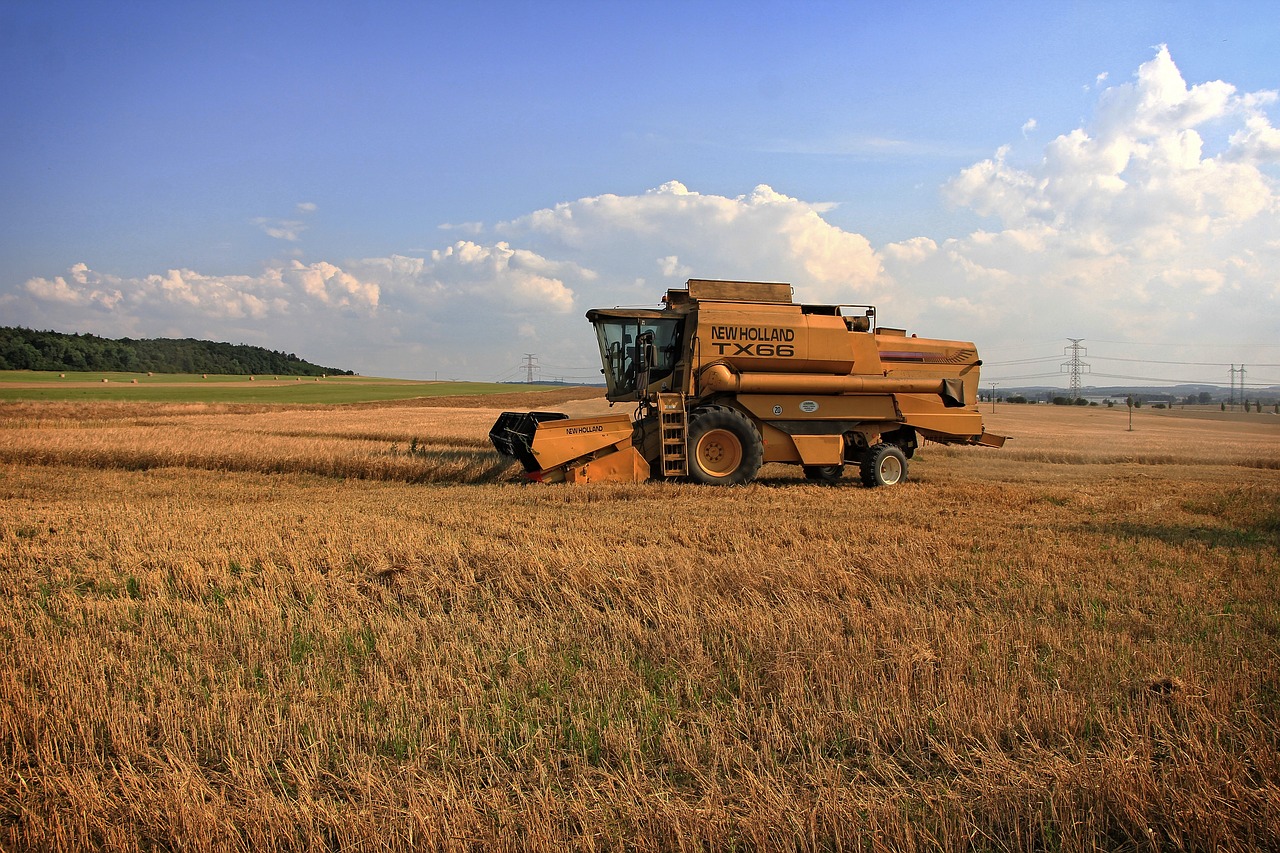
[{"x": 241, "y": 628}]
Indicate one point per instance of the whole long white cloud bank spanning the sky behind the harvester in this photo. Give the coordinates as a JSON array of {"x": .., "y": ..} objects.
[{"x": 1156, "y": 221}]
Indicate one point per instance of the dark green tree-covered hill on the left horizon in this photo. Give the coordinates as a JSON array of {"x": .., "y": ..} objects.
[{"x": 29, "y": 350}]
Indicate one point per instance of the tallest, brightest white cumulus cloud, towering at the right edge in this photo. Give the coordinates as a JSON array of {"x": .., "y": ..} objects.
[{"x": 1131, "y": 225}]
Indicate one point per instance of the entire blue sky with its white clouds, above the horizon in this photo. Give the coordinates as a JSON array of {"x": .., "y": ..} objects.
[{"x": 423, "y": 190}]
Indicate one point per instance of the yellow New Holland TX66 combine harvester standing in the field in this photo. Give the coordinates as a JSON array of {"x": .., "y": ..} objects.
[{"x": 730, "y": 376}]
